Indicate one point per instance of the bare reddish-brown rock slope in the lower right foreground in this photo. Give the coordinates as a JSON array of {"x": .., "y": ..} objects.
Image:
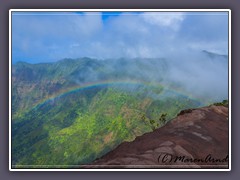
[{"x": 196, "y": 138}]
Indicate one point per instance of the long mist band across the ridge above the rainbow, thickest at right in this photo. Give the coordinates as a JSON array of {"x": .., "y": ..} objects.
[{"x": 201, "y": 75}]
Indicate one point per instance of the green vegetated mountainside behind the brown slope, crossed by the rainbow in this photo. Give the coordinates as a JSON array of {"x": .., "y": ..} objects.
[{"x": 59, "y": 119}]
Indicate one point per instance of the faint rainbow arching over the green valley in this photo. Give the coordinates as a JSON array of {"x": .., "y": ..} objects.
[{"x": 109, "y": 83}]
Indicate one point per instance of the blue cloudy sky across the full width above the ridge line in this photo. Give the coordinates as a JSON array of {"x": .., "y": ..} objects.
[{"x": 43, "y": 36}]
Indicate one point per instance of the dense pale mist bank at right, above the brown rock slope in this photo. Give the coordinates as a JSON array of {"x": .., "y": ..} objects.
[{"x": 200, "y": 74}]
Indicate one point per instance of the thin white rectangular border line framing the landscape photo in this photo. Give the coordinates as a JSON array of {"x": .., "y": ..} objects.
[{"x": 119, "y": 10}]
